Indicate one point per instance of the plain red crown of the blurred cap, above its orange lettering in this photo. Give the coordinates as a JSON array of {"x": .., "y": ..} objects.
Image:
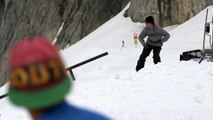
[{"x": 32, "y": 50}]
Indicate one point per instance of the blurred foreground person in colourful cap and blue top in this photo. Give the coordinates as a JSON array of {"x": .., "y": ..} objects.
[{"x": 38, "y": 82}]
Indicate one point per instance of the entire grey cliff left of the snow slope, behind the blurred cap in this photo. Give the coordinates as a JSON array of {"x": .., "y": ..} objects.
[{"x": 26, "y": 18}]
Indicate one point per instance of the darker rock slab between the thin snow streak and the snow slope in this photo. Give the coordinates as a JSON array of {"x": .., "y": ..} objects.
[{"x": 84, "y": 16}]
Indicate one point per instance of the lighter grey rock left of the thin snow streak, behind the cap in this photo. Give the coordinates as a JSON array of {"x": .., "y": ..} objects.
[{"x": 26, "y": 18}]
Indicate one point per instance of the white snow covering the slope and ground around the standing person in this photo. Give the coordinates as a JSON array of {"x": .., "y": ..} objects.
[{"x": 171, "y": 90}]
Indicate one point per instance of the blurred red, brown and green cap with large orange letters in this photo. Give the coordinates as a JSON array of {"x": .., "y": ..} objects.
[{"x": 37, "y": 75}]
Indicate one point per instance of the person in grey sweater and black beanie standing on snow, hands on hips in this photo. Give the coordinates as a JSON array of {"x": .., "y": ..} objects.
[{"x": 156, "y": 37}]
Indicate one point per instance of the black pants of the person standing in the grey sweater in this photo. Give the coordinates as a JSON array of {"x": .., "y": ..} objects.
[{"x": 145, "y": 54}]
